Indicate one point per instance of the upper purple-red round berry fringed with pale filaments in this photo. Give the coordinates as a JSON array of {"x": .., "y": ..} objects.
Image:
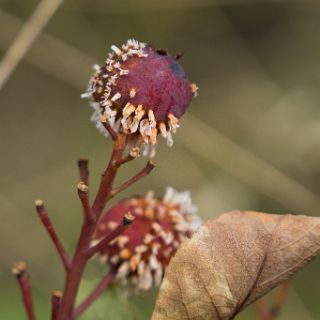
[{"x": 141, "y": 92}]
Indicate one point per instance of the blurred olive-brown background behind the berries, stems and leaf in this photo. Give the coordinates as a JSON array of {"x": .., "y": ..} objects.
[{"x": 249, "y": 141}]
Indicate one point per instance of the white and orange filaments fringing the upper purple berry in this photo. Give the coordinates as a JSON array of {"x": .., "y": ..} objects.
[{"x": 130, "y": 119}]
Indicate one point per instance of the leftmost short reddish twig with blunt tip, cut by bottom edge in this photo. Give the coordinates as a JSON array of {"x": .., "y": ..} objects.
[{"x": 20, "y": 271}]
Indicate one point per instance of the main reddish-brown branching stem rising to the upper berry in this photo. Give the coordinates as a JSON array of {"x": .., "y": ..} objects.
[{"x": 91, "y": 216}]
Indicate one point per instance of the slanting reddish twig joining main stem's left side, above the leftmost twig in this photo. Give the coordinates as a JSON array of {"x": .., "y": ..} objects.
[{"x": 44, "y": 217}]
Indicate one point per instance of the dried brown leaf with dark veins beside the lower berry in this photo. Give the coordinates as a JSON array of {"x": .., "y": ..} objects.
[{"x": 232, "y": 261}]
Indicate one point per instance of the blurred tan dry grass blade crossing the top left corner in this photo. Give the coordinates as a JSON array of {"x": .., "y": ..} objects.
[{"x": 25, "y": 38}]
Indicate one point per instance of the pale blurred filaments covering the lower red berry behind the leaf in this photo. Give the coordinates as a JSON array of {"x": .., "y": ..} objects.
[{"x": 144, "y": 265}]
